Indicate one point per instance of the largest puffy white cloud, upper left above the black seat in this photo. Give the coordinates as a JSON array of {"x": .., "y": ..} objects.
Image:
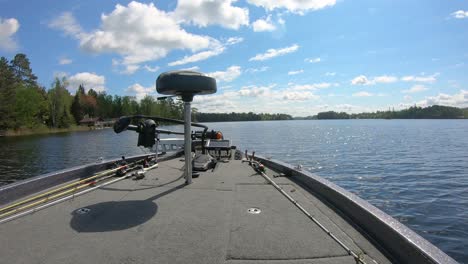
[{"x": 138, "y": 32}]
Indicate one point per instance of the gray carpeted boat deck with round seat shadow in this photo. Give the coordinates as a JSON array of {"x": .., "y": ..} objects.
[{"x": 161, "y": 220}]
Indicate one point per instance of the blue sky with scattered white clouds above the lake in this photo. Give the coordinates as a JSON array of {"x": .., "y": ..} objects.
[{"x": 298, "y": 57}]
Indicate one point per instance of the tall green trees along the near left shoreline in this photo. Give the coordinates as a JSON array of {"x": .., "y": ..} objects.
[{"x": 24, "y": 103}]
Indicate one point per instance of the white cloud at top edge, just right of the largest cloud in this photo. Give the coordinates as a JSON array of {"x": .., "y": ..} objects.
[{"x": 208, "y": 12}]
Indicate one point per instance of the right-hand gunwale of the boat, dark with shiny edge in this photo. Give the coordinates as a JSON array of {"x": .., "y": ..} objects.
[{"x": 388, "y": 232}]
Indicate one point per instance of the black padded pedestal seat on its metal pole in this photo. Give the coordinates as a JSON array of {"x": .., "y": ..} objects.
[{"x": 186, "y": 84}]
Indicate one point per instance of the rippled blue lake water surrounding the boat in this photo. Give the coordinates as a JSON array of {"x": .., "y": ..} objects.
[{"x": 414, "y": 170}]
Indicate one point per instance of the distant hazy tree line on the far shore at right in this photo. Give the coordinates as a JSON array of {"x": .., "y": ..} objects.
[{"x": 414, "y": 112}]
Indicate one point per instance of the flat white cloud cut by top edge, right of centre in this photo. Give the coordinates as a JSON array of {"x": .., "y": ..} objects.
[{"x": 295, "y": 6}]
